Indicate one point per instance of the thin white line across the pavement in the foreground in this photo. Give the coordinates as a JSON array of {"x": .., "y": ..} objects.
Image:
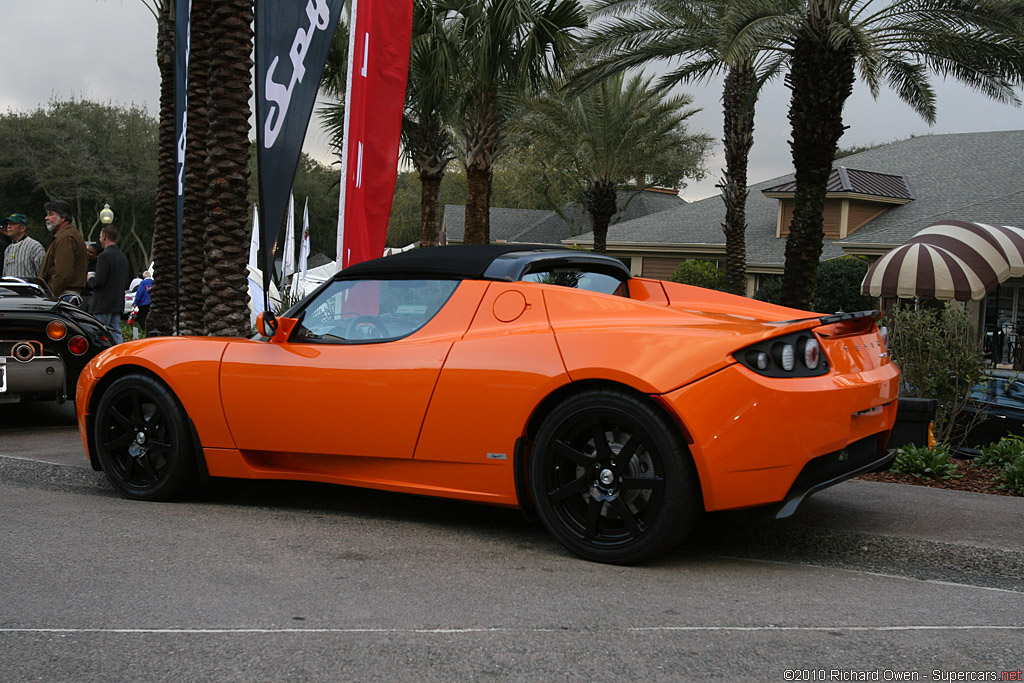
[{"x": 698, "y": 629}]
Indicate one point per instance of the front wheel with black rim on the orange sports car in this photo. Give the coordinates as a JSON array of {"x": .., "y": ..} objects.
[{"x": 143, "y": 441}]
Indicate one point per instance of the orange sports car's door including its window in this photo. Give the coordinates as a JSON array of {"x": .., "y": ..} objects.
[{"x": 356, "y": 377}]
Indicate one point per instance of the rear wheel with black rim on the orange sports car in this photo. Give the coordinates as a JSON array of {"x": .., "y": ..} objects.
[{"x": 613, "y": 480}]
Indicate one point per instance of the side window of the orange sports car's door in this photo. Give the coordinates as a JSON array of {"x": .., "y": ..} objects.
[{"x": 373, "y": 311}]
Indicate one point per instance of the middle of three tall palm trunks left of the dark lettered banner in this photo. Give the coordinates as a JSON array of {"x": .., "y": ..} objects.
[{"x": 197, "y": 145}]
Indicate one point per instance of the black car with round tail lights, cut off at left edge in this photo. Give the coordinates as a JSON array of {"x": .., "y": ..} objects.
[{"x": 45, "y": 344}]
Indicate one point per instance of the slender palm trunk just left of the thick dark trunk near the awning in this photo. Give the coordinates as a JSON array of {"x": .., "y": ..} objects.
[{"x": 739, "y": 100}]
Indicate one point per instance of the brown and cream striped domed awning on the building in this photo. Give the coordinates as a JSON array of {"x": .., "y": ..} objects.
[{"x": 955, "y": 261}]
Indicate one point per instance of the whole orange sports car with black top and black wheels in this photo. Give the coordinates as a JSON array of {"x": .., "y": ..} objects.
[{"x": 616, "y": 408}]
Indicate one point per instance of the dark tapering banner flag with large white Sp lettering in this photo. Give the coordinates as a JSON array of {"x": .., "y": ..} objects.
[{"x": 292, "y": 44}]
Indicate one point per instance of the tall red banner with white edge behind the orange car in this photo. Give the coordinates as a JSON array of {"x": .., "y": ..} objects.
[{"x": 378, "y": 68}]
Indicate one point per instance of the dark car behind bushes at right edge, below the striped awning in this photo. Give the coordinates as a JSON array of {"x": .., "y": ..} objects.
[{"x": 997, "y": 411}]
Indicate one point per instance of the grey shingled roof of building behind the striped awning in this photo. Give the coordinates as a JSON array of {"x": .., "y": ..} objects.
[{"x": 966, "y": 177}]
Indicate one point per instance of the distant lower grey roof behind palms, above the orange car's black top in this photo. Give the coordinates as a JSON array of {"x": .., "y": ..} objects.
[{"x": 539, "y": 227}]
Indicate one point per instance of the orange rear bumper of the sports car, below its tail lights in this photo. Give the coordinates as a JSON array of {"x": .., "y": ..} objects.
[{"x": 763, "y": 442}]
